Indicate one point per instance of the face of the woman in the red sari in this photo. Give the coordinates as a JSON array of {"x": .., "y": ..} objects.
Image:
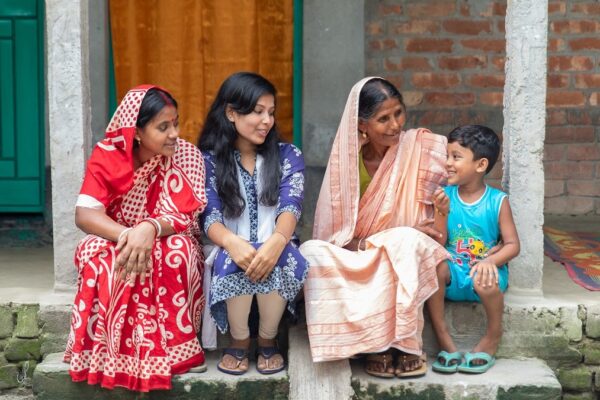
[{"x": 159, "y": 135}]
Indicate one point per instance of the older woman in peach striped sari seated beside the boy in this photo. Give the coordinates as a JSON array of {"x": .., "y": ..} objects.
[{"x": 373, "y": 262}]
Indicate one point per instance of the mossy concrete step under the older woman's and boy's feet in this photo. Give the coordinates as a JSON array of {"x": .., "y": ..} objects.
[{"x": 509, "y": 379}]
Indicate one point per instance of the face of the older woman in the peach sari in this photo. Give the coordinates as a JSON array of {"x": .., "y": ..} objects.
[{"x": 384, "y": 127}]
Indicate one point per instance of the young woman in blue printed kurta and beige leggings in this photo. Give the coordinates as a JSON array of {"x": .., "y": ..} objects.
[{"x": 254, "y": 187}]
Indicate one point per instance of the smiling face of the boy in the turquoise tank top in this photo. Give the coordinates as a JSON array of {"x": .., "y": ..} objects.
[{"x": 461, "y": 166}]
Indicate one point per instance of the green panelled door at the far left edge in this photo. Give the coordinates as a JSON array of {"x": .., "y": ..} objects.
[{"x": 21, "y": 106}]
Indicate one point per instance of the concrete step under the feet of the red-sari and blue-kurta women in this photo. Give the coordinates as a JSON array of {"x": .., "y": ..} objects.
[{"x": 51, "y": 381}]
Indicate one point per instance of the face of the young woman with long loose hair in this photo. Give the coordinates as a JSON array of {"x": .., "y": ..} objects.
[{"x": 254, "y": 127}]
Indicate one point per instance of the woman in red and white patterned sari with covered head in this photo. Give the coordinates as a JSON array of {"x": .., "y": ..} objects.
[{"x": 138, "y": 306}]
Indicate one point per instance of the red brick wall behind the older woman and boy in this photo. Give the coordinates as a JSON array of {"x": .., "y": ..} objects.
[{"x": 447, "y": 58}]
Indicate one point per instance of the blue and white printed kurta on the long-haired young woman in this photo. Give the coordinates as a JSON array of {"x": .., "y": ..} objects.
[{"x": 228, "y": 280}]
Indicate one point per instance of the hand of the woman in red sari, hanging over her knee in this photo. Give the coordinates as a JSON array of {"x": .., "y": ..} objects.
[{"x": 135, "y": 248}]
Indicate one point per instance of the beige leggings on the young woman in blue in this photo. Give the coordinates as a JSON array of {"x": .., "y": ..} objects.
[{"x": 270, "y": 308}]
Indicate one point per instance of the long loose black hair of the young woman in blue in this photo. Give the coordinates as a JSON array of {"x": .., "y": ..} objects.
[{"x": 240, "y": 92}]
